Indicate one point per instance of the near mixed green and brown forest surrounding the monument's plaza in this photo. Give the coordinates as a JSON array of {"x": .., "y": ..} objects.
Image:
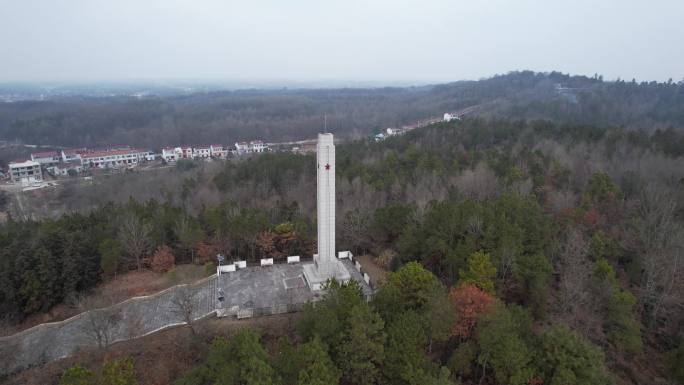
[{"x": 522, "y": 252}]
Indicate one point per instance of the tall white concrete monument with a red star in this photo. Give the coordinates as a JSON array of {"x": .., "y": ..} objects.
[{"x": 326, "y": 265}]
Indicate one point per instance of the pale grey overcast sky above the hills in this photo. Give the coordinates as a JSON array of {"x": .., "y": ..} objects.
[{"x": 357, "y": 40}]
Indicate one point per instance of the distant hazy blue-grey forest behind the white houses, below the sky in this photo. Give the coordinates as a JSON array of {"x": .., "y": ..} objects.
[{"x": 294, "y": 114}]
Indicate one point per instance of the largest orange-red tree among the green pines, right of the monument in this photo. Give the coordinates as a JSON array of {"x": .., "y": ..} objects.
[{"x": 469, "y": 302}]
